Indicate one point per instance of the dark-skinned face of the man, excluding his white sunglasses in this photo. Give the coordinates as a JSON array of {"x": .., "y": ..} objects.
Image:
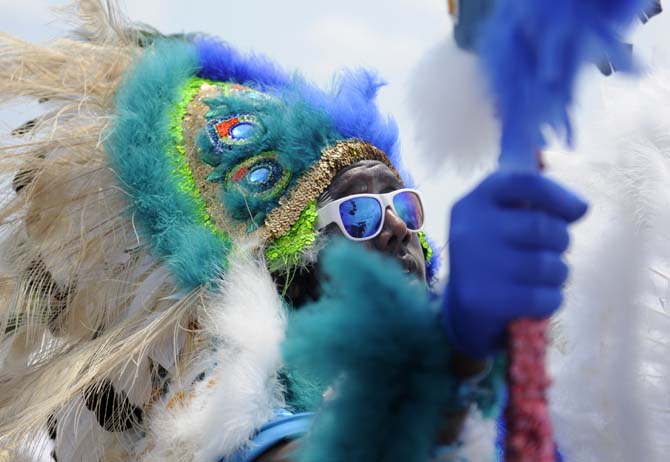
[{"x": 373, "y": 177}]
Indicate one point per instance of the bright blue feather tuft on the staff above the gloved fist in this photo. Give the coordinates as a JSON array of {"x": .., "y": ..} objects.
[{"x": 533, "y": 50}]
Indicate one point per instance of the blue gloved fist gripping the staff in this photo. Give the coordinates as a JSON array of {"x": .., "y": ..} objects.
[{"x": 506, "y": 241}]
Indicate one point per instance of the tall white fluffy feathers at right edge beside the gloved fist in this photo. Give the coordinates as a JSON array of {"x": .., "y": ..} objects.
[{"x": 611, "y": 400}]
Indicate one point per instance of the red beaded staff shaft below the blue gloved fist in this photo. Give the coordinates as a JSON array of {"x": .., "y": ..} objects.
[{"x": 529, "y": 431}]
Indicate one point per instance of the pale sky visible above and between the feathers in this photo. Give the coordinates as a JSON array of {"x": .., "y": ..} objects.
[{"x": 318, "y": 38}]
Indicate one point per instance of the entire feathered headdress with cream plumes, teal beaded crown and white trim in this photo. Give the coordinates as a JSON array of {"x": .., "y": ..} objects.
[{"x": 165, "y": 182}]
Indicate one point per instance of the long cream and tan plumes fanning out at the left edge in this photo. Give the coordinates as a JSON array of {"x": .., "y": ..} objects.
[{"x": 82, "y": 301}]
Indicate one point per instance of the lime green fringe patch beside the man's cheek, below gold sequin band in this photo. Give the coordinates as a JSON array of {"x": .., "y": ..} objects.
[{"x": 286, "y": 251}]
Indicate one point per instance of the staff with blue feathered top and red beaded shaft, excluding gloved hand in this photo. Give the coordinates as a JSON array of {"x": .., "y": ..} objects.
[{"x": 532, "y": 51}]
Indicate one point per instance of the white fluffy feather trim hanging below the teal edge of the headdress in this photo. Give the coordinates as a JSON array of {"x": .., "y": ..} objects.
[{"x": 206, "y": 419}]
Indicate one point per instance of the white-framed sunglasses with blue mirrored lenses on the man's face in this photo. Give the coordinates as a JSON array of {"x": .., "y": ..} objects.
[{"x": 361, "y": 216}]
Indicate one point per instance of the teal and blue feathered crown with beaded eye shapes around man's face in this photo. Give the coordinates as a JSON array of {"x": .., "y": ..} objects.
[{"x": 236, "y": 150}]
